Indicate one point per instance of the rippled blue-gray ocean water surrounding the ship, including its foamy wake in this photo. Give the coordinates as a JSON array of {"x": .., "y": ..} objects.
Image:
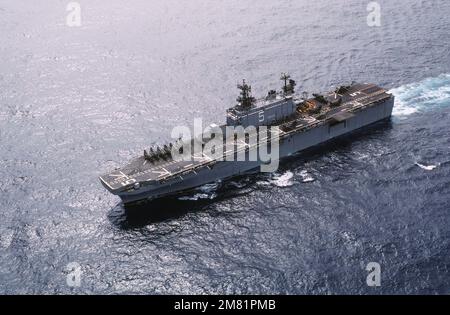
[{"x": 76, "y": 102}]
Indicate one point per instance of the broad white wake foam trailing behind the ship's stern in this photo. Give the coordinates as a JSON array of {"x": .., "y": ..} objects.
[{"x": 419, "y": 96}]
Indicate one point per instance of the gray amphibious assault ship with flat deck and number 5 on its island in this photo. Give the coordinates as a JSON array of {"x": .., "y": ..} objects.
[{"x": 301, "y": 122}]
